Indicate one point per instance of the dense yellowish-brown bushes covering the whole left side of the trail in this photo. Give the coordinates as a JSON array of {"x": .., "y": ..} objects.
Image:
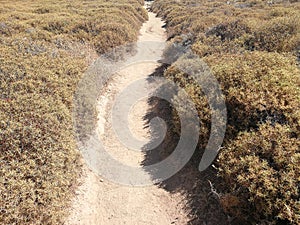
[{"x": 45, "y": 47}]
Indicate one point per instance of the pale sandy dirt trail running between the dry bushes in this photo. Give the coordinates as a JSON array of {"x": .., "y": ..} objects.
[{"x": 101, "y": 202}]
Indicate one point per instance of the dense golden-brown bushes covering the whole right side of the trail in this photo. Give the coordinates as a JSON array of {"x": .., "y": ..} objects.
[{"x": 251, "y": 48}]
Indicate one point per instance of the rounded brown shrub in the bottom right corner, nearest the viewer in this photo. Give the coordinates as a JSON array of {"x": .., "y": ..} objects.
[{"x": 262, "y": 167}]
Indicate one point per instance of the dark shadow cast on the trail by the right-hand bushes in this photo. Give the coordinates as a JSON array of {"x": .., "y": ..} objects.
[{"x": 203, "y": 204}]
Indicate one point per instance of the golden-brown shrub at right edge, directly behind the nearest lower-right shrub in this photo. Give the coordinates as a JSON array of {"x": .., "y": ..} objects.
[{"x": 259, "y": 87}]
